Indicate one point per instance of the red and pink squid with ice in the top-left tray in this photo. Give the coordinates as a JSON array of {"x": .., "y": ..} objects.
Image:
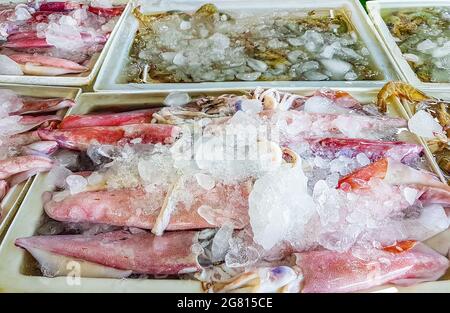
[{"x": 45, "y": 38}]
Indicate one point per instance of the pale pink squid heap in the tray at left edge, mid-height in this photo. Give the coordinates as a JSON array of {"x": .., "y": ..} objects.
[{"x": 22, "y": 153}]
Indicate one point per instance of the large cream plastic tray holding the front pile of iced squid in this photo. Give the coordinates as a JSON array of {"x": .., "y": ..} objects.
[{"x": 18, "y": 269}]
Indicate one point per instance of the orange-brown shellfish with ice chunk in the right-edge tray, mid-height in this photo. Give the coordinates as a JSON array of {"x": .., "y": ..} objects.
[{"x": 430, "y": 119}]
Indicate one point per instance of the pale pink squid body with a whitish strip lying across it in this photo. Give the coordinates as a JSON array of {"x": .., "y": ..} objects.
[{"x": 158, "y": 209}]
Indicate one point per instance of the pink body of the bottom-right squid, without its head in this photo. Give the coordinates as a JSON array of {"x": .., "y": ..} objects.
[{"x": 329, "y": 271}]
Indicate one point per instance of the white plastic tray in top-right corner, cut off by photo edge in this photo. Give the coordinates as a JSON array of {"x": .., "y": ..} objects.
[{"x": 406, "y": 72}]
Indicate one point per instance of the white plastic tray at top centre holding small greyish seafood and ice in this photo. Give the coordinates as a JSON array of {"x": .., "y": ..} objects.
[{"x": 110, "y": 76}]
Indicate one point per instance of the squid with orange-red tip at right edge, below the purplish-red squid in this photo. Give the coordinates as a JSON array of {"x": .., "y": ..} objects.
[{"x": 430, "y": 189}]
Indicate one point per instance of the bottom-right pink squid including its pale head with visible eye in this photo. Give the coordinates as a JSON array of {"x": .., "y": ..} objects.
[{"x": 325, "y": 271}]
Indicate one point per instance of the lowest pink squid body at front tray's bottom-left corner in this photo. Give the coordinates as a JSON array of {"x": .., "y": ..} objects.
[{"x": 142, "y": 253}]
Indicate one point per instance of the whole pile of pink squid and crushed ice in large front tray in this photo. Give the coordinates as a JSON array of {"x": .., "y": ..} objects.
[{"x": 265, "y": 191}]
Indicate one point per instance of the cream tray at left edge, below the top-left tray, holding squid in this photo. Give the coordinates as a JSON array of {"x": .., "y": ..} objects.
[{"x": 12, "y": 200}]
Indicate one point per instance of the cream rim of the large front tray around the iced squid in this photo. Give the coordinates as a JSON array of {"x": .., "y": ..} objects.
[{"x": 25, "y": 224}]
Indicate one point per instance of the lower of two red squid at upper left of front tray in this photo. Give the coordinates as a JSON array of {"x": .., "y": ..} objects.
[{"x": 81, "y": 138}]
